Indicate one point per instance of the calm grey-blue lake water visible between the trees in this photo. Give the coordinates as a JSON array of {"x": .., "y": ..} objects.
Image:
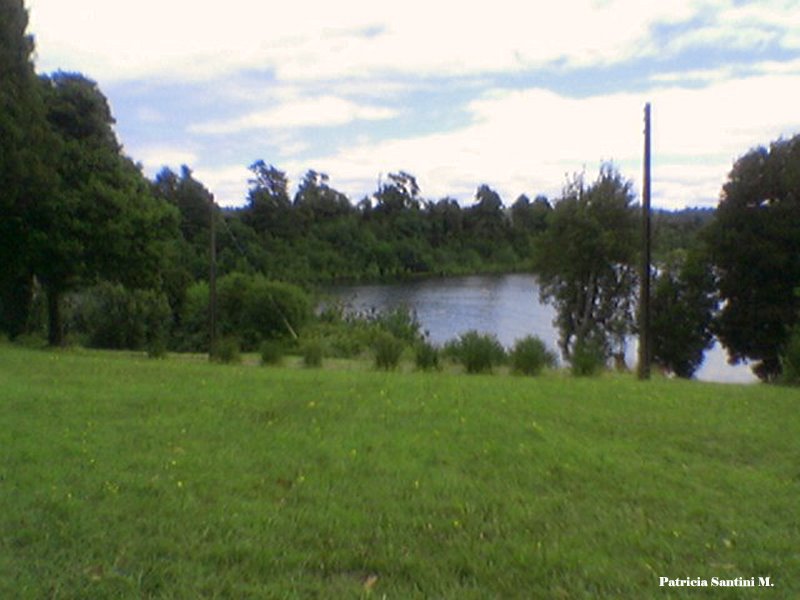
[{"x": 505, "y": 305}]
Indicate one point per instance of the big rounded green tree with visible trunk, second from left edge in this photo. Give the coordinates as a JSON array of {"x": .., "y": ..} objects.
[{"x": 101, "y": 220}]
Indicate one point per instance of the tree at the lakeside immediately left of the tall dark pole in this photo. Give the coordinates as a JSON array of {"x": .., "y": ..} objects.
[{"x": 586, "y": 262}]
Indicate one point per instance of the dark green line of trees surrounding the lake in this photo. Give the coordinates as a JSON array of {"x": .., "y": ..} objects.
[{"x": 84, "y": 231}]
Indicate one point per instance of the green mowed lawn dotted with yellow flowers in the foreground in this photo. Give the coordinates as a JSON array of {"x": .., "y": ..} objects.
[{"x": 122, "y": 477}]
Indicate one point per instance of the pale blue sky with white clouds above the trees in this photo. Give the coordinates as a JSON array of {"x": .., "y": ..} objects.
[{"x": 517, "y": 94}]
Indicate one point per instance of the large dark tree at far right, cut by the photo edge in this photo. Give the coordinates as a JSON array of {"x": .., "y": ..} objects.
[{"x": 755, "y": 247}]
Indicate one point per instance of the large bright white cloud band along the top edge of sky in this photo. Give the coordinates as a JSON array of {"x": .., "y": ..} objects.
[{"x": 309, "y": 39}]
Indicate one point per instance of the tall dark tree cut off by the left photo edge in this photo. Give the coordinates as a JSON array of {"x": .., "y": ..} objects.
[{"x": 25, "y": 145}]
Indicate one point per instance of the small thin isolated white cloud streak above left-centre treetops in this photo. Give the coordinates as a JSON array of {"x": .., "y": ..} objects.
[{"x": 305, "y": 112}]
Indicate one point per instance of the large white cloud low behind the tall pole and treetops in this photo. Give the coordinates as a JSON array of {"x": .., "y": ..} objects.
[{"x": 528, "y": 141}]
